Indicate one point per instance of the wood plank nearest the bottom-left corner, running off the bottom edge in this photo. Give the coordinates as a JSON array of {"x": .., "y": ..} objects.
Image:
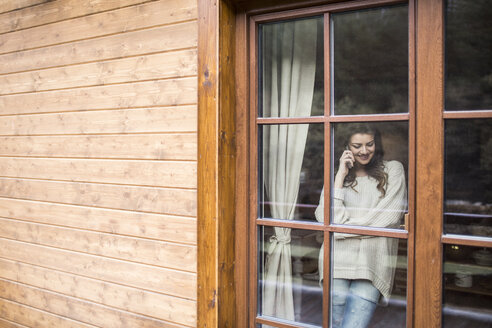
[{"x": 35, "y": 318}]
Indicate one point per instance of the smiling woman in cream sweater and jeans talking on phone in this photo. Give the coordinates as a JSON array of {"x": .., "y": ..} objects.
[{"x": 367, "y": 191}]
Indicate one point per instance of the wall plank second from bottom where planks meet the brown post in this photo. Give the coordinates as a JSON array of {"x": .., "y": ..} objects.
[{"x": 157, "y": 279}]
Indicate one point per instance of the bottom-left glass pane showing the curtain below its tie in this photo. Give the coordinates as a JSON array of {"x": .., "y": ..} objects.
[{"x": 289, "y": 286}]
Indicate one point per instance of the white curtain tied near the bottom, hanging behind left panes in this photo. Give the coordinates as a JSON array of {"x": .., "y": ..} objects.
[{"x": 289, "y": 64}]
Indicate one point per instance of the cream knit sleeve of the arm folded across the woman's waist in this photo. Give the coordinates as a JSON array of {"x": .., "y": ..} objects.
[{"x": 389, "y": 210}]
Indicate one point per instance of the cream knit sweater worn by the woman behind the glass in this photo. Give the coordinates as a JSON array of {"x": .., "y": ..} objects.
[{"x": 367, "y": 257}]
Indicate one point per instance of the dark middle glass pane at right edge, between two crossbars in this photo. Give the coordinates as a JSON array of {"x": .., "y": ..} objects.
[{"x": 468, "y": 173}]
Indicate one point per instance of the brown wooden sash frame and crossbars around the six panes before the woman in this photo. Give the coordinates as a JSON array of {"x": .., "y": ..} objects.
[{"x": 328, "y": 119}]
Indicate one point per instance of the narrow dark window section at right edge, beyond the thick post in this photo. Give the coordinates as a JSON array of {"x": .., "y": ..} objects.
[{"x": 467, "y": 219}]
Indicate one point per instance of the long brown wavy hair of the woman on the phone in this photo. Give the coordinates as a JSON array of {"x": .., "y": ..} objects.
[{"x": 375, "y": 168}]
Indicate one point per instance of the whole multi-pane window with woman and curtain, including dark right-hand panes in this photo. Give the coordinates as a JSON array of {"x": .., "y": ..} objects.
[{"x": 334, "y": 182}]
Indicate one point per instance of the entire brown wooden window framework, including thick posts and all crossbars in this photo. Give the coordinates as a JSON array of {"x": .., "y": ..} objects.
[{"x": 226, "y": 126}]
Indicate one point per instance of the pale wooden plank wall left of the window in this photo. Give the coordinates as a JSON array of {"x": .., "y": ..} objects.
[{"x": 98, "y": 163}]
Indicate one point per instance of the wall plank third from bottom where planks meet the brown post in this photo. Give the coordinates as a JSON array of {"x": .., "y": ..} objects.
[{"x": 152, "y": 252}]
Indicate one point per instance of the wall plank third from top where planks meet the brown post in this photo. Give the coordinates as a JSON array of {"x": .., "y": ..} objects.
[{"x": 133, "y": 69}]
